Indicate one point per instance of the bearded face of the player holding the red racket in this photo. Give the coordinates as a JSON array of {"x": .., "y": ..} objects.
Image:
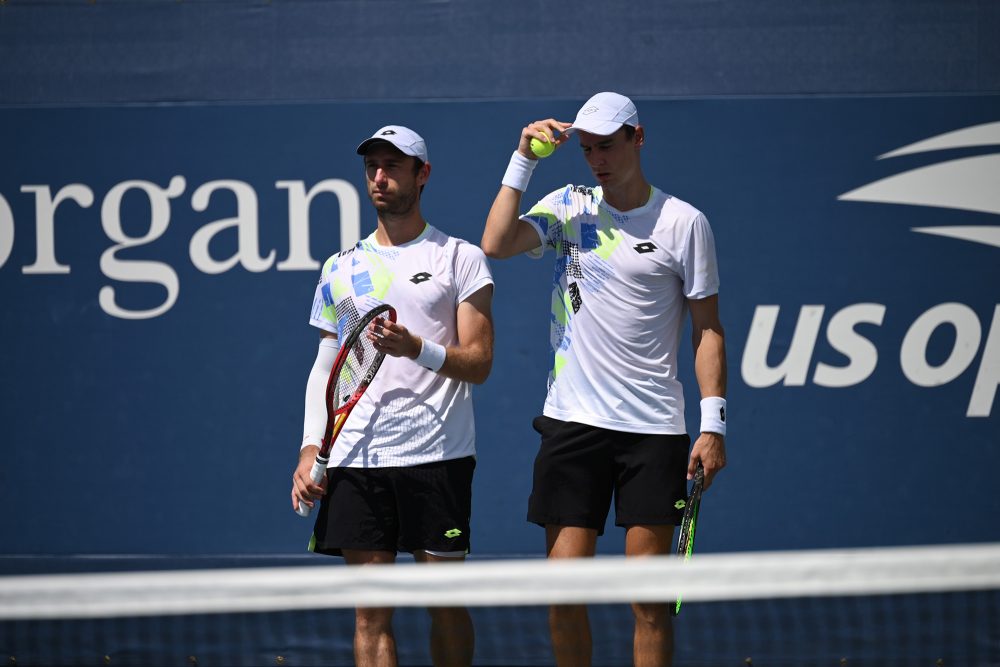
[{"x": 392, "y": 180}]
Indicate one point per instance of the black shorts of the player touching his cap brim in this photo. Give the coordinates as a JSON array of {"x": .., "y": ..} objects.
[{"x": 580, "y": 467}]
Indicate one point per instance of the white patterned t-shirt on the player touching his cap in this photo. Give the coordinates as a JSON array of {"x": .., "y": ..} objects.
[{"x": 618, "y": 305}]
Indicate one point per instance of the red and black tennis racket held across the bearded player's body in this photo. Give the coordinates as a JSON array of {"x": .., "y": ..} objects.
[{"x": 354, "y": 369}]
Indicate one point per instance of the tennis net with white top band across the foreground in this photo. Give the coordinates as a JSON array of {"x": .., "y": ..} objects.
[{"x": 935, "y": 605}]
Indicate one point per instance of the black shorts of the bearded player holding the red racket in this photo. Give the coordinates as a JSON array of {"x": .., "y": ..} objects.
[{"x": 424, "y": 507}]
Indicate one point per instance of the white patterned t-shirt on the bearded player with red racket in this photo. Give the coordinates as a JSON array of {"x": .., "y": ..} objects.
[{"x": 409, "y": 415}]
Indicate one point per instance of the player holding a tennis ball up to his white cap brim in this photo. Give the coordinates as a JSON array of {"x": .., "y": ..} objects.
[{"x": 630, "y": 261}]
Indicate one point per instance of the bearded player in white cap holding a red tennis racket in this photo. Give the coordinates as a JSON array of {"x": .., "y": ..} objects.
[{"x": 400, "y": 476}]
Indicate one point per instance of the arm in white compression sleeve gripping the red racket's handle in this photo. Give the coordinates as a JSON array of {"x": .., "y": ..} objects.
[{"x": 314, "y": 422}]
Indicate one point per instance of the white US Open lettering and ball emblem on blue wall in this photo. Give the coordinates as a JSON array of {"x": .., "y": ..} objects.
[{"x": 967, "y": 183}]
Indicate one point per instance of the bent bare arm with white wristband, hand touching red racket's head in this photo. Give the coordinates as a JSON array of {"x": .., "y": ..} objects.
[{"x": 469, "y": 361}]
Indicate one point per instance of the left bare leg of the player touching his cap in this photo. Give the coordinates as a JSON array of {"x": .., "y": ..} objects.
[{"x": 569, "y": 625}]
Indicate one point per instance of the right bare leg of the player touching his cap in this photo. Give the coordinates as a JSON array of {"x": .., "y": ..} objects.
[{"x": 653, "y": 643}]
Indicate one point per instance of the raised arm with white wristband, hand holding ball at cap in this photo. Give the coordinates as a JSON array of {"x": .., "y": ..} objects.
[{"x": 506, "y": 234}]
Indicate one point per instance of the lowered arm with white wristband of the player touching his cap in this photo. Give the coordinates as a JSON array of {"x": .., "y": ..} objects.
[{"x": 709, "y": 343}]
